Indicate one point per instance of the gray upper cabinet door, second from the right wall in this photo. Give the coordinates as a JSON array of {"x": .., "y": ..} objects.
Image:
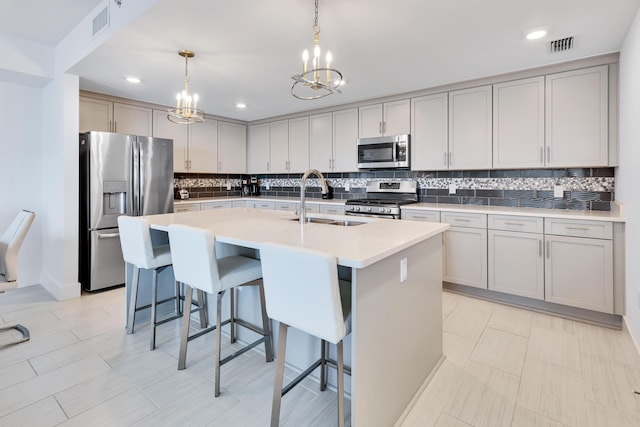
[{"x": 518, "y": 124}]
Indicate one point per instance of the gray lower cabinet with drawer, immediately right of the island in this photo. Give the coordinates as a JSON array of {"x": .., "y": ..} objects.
[{"x": 465, "y": 249}]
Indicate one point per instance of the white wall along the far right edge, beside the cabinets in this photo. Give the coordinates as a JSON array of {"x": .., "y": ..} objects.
[{"x": 627, "y": 174}]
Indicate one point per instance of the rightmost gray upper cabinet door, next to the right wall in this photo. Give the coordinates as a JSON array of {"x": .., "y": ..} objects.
[{"x": 577, "y": 118}]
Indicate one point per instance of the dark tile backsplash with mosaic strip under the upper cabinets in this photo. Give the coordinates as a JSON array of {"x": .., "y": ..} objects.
[{"x": 584, "y": 188}]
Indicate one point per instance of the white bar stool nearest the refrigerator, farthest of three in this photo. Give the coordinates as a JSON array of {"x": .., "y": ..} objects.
[{"x": 138, "y": 250}]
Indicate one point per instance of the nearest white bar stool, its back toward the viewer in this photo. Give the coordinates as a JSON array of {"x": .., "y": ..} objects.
[{"x": 303, "y": 291}]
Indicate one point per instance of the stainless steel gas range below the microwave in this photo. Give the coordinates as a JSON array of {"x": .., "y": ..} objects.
[{"x": 383, "y": 199}]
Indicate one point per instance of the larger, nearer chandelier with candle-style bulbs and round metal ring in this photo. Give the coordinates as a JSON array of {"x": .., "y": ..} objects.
[{"x": 318, "y": 81}]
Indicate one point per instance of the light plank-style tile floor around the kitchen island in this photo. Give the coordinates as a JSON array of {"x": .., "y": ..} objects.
[{"x": 504, "y": 367}]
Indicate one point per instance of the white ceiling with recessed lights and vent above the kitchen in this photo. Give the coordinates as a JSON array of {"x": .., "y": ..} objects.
[{"x": 247, "y": 50}]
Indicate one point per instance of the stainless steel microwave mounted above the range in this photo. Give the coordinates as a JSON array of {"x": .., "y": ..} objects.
[{"x": 384, "y": 152}]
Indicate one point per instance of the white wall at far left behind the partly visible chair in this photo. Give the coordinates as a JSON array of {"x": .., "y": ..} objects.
[{"x": 21, "y": 174}]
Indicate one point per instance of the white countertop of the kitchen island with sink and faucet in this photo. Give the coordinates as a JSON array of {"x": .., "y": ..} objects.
[{"x": 354, "y": 246}]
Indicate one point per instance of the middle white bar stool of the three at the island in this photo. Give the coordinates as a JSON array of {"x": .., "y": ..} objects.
[{"x": 196, "y": 266}]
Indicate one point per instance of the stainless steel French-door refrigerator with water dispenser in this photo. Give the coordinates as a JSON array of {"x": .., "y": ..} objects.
[{"x": 119, "y": 175}]
